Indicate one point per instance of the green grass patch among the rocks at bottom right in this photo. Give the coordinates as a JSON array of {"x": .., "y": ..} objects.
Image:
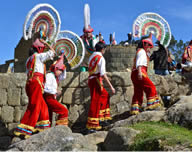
[{"x": 152, "y": 132}]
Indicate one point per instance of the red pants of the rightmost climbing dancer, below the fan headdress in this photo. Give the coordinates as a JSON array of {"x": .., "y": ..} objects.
[{"x": 140, "y": 86}]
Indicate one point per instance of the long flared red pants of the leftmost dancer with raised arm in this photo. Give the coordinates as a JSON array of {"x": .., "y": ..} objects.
[{"x": 36, "y": 114}]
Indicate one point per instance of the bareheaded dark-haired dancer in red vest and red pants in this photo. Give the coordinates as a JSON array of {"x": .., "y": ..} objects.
[{"x": 99, "y": 111}]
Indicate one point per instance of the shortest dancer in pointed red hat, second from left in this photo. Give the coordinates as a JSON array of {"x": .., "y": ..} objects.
[{"x": 58, "y": 73}]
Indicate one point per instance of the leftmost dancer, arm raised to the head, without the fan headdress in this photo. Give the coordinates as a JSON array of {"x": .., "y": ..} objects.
[{"x": 37, "y": 110}]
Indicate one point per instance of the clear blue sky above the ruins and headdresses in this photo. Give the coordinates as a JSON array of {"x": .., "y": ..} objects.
[{"x": 107, "y": 16}]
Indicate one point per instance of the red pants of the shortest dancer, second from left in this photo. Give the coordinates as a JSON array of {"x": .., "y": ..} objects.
[{"x": 55, "y": 106}]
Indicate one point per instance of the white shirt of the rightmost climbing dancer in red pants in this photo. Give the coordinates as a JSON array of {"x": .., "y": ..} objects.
[{"x": 141, "y": 59}]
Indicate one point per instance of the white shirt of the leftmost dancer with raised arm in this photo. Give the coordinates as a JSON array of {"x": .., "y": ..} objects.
[{"x": 40, "y": 59}]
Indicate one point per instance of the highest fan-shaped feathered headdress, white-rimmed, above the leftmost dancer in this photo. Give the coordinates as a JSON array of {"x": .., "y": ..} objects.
[{"x": 42, "y": 19}]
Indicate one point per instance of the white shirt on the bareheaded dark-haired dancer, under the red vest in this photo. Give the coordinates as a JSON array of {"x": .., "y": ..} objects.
[{"x": 101, "y": 65}]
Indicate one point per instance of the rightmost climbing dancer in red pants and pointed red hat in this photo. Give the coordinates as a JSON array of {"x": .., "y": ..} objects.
[{"x": 140, "y": 79}]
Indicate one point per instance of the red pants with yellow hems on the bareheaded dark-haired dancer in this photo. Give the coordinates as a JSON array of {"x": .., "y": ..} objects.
[{"x": 99, "y": 107}]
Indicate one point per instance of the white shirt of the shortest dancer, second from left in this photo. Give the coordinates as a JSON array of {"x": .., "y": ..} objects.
[{"x": 51, "y": 82}]
